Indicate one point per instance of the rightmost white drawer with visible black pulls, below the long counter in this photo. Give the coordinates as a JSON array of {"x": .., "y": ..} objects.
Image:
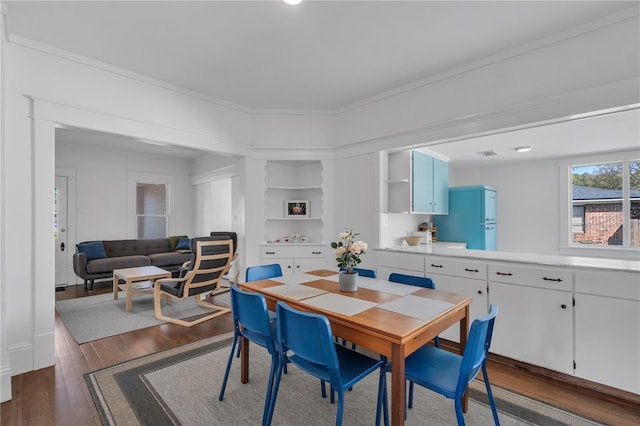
[{"x": 531, "y": 275}]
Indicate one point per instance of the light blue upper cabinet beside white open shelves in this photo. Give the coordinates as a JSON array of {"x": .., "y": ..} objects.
[{"x": 430, "y": 184}]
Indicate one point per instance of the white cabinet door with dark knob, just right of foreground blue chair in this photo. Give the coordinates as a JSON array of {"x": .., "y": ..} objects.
[{"x": 533, "y": 325}]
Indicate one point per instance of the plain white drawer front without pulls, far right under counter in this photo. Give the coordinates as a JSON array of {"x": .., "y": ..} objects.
[{"x": 618, "y": 284}]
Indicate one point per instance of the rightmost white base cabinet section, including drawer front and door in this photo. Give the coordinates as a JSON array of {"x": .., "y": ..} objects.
[{"x": 607, "y": 321}]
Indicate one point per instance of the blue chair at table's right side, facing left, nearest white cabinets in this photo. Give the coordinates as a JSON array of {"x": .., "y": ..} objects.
[{"x": 449, "y": 374}]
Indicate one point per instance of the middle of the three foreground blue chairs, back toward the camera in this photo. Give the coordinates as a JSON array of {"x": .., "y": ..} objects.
[{"x": 306, "y": 341}]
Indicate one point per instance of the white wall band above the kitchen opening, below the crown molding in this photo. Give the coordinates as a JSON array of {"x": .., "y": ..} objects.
[{"x": 560, "y": 76}]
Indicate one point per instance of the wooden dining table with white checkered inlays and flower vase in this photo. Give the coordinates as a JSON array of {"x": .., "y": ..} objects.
[{"x": 387, "y": 318}]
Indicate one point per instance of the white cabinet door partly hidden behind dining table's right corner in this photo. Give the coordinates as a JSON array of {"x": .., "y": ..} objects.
[{"x": 467, "y": 287}]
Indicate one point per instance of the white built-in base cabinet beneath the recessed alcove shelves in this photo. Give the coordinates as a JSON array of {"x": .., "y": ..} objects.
[{"x": 295, "y": 259}]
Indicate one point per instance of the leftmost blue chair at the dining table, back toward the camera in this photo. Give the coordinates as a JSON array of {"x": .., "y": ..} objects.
[{"x": 251, "y": 320}]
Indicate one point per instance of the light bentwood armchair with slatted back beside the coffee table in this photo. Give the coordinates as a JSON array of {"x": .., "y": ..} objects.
[{"x": 210, "y": 260}]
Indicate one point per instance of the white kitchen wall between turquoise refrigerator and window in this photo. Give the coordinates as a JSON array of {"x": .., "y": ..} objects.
[{"x": 528, "y": 203}]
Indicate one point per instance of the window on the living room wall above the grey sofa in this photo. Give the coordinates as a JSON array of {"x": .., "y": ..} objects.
[{"x": 151, "y": 210}]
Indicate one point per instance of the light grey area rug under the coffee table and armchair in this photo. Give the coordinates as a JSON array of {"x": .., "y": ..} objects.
[{"x": 96, "y": 317}]
